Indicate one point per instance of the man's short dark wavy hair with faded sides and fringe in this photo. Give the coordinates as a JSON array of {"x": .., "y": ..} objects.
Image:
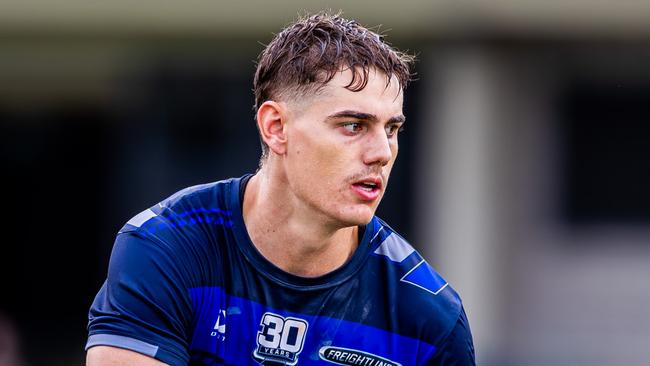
[{"x": 308, "y": 53}]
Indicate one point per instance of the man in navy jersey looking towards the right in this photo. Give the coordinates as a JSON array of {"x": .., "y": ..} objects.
[{"x": 288, "y": 266}]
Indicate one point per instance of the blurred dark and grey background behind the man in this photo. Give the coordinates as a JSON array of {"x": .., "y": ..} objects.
[{"x": 523, "y": 173}]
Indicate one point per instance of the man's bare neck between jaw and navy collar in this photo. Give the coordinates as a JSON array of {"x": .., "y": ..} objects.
[{"x": 290, "y": 235}]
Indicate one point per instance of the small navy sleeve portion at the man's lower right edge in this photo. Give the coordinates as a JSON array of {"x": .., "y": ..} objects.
[{"x": 458, "y": 348}]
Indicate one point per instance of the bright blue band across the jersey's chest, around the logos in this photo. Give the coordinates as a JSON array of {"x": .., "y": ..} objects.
[{"x": 227, "y": 327}]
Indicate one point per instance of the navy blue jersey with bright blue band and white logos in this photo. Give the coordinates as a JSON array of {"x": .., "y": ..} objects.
[{"x": 187, "y": 286}]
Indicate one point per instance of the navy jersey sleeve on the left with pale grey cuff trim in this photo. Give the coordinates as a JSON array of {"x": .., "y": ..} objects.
[{"x": 144, "y": 305}]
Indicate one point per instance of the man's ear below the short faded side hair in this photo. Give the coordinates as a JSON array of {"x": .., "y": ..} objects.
[{"x": 271, "y": 118}]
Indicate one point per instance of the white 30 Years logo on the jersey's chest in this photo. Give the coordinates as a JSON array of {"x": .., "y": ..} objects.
[{"x": 280, "y": 340}]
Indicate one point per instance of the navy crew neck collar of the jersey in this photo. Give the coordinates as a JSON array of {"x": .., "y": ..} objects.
[{"x": 274, "y": 273}]
